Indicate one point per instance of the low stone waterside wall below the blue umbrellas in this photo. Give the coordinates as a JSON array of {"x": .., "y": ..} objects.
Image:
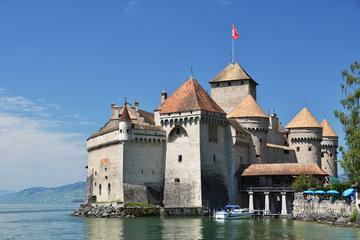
[{"x": 315, "y": 209}]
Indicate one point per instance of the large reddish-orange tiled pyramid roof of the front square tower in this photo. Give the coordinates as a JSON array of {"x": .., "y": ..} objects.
[{"x": 189, "y": 96}]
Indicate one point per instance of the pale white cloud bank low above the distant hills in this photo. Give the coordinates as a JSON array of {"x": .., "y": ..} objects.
[{"x": 33, "y": 155}]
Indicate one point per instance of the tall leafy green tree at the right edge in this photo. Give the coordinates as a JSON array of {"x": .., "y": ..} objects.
[{"x": 350, "y": 120}]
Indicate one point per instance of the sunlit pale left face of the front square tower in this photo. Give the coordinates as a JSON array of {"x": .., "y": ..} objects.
[{"x": 182, "y": 186}]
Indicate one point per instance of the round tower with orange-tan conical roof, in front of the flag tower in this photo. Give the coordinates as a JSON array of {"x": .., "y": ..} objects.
[{"x": 251, "y": 117}]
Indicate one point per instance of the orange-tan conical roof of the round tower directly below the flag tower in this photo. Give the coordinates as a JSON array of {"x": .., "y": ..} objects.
[{"x": 247, "y": 108}]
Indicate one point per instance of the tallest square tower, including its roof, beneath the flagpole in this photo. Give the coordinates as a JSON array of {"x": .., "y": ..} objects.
[{"x": 231, "y": 86}]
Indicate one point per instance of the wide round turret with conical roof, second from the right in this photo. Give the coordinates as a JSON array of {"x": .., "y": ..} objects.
[{"x": 305, "y": 135}]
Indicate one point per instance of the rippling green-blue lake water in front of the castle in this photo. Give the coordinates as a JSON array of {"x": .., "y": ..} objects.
[{"x": 54, "y": 222}]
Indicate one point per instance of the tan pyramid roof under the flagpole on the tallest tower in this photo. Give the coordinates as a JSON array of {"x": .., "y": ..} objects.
[{"x": 232, "y": 72}]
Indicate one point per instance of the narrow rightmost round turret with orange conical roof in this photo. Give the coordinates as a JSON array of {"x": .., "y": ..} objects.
[{"x": 329, "y": 145}]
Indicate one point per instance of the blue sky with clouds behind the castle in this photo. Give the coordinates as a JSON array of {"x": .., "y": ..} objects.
[{"x": 62, "y": 63}]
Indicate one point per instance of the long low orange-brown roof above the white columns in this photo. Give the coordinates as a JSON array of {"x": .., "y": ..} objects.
[{"x": 276, "y": 169}]
